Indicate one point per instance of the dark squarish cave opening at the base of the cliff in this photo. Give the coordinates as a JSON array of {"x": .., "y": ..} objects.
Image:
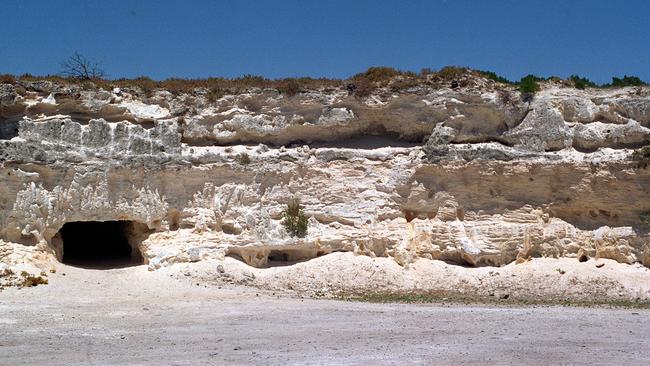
[{"x": 99, "y": 244}]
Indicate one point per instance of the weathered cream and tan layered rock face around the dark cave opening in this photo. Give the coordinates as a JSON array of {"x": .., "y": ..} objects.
[{"x": 473, "y": 176}]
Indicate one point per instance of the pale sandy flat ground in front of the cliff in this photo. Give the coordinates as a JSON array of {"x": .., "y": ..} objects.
[{"x": 131, "y": 316}]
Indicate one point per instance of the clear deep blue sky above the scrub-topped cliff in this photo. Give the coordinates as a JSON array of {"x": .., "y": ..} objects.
[{"x": 337, "y": 38}]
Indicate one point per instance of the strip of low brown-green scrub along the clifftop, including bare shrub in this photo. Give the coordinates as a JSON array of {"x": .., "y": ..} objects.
[{"x": 78, "y": 69}]
